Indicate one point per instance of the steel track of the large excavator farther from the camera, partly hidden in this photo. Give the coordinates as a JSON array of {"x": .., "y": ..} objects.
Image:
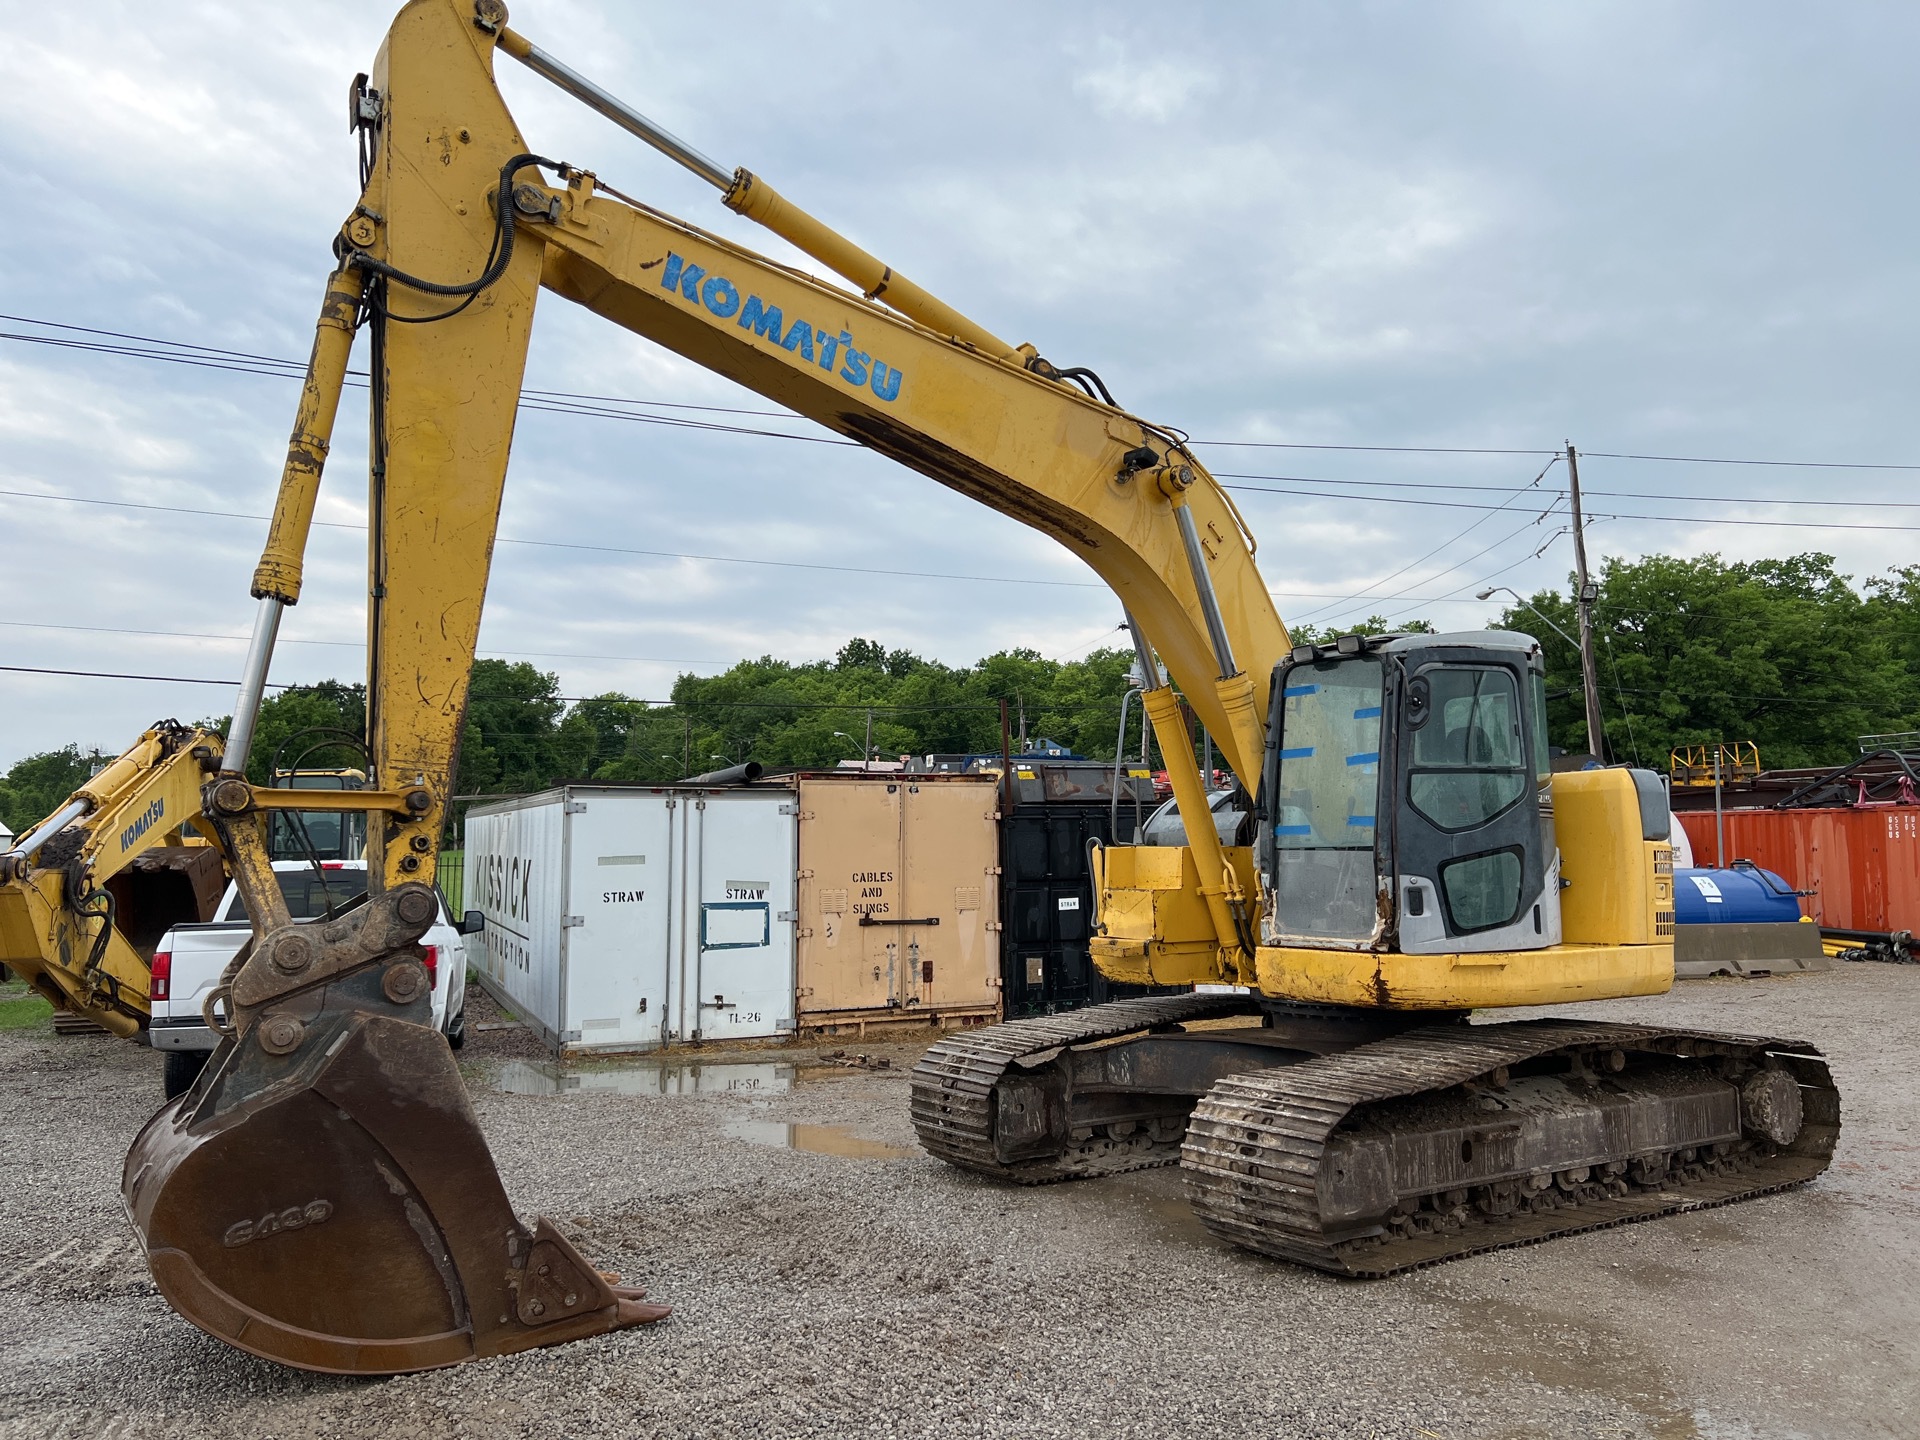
[{"x": 953, "y": 1084}]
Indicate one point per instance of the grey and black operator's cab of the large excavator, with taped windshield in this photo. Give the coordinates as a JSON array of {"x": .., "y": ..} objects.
[{"x": 1406, "y": 798}]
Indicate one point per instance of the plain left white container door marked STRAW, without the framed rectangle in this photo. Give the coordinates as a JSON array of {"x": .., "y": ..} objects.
[{"x": 621, "y": 865}]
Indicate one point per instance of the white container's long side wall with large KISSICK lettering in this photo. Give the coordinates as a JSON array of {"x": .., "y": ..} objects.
[{"x": 514, "y": 873}]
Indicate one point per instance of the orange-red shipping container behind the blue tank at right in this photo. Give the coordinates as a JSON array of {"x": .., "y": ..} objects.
[{"x": 1863, "y": 867}]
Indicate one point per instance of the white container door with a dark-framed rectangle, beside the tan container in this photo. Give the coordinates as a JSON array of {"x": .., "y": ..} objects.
[{"x": 742, "y": 848}]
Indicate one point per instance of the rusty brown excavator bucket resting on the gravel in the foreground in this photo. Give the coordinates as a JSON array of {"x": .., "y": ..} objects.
[{"x": 324, "y": 1197}]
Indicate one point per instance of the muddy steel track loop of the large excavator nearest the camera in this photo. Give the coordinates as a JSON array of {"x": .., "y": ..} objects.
[{"x": 1257, "y": 1141}]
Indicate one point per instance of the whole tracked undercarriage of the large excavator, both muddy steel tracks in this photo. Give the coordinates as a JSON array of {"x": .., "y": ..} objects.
[{"x": 1366, "y": 1143}]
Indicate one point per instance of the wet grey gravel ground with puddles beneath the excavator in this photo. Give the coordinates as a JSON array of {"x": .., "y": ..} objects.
[{"x": 886, "y": 1295}]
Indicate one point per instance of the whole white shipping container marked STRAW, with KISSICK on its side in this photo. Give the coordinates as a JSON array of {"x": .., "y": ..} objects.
[{"x": 635, "y": 919}]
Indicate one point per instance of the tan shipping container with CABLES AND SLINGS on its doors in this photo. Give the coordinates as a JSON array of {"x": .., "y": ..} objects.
[{"x": 900, "y": 901}]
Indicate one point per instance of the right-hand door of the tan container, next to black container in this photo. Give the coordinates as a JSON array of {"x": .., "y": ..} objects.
[{"x": 949, "y": 955}]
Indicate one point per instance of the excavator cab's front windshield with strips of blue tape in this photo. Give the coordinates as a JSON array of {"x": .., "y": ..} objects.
[{"x": 1328, "y": 800}]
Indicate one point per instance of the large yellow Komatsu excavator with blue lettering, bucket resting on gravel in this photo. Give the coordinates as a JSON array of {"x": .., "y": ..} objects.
[{"x": 325, "y": 1197}]
